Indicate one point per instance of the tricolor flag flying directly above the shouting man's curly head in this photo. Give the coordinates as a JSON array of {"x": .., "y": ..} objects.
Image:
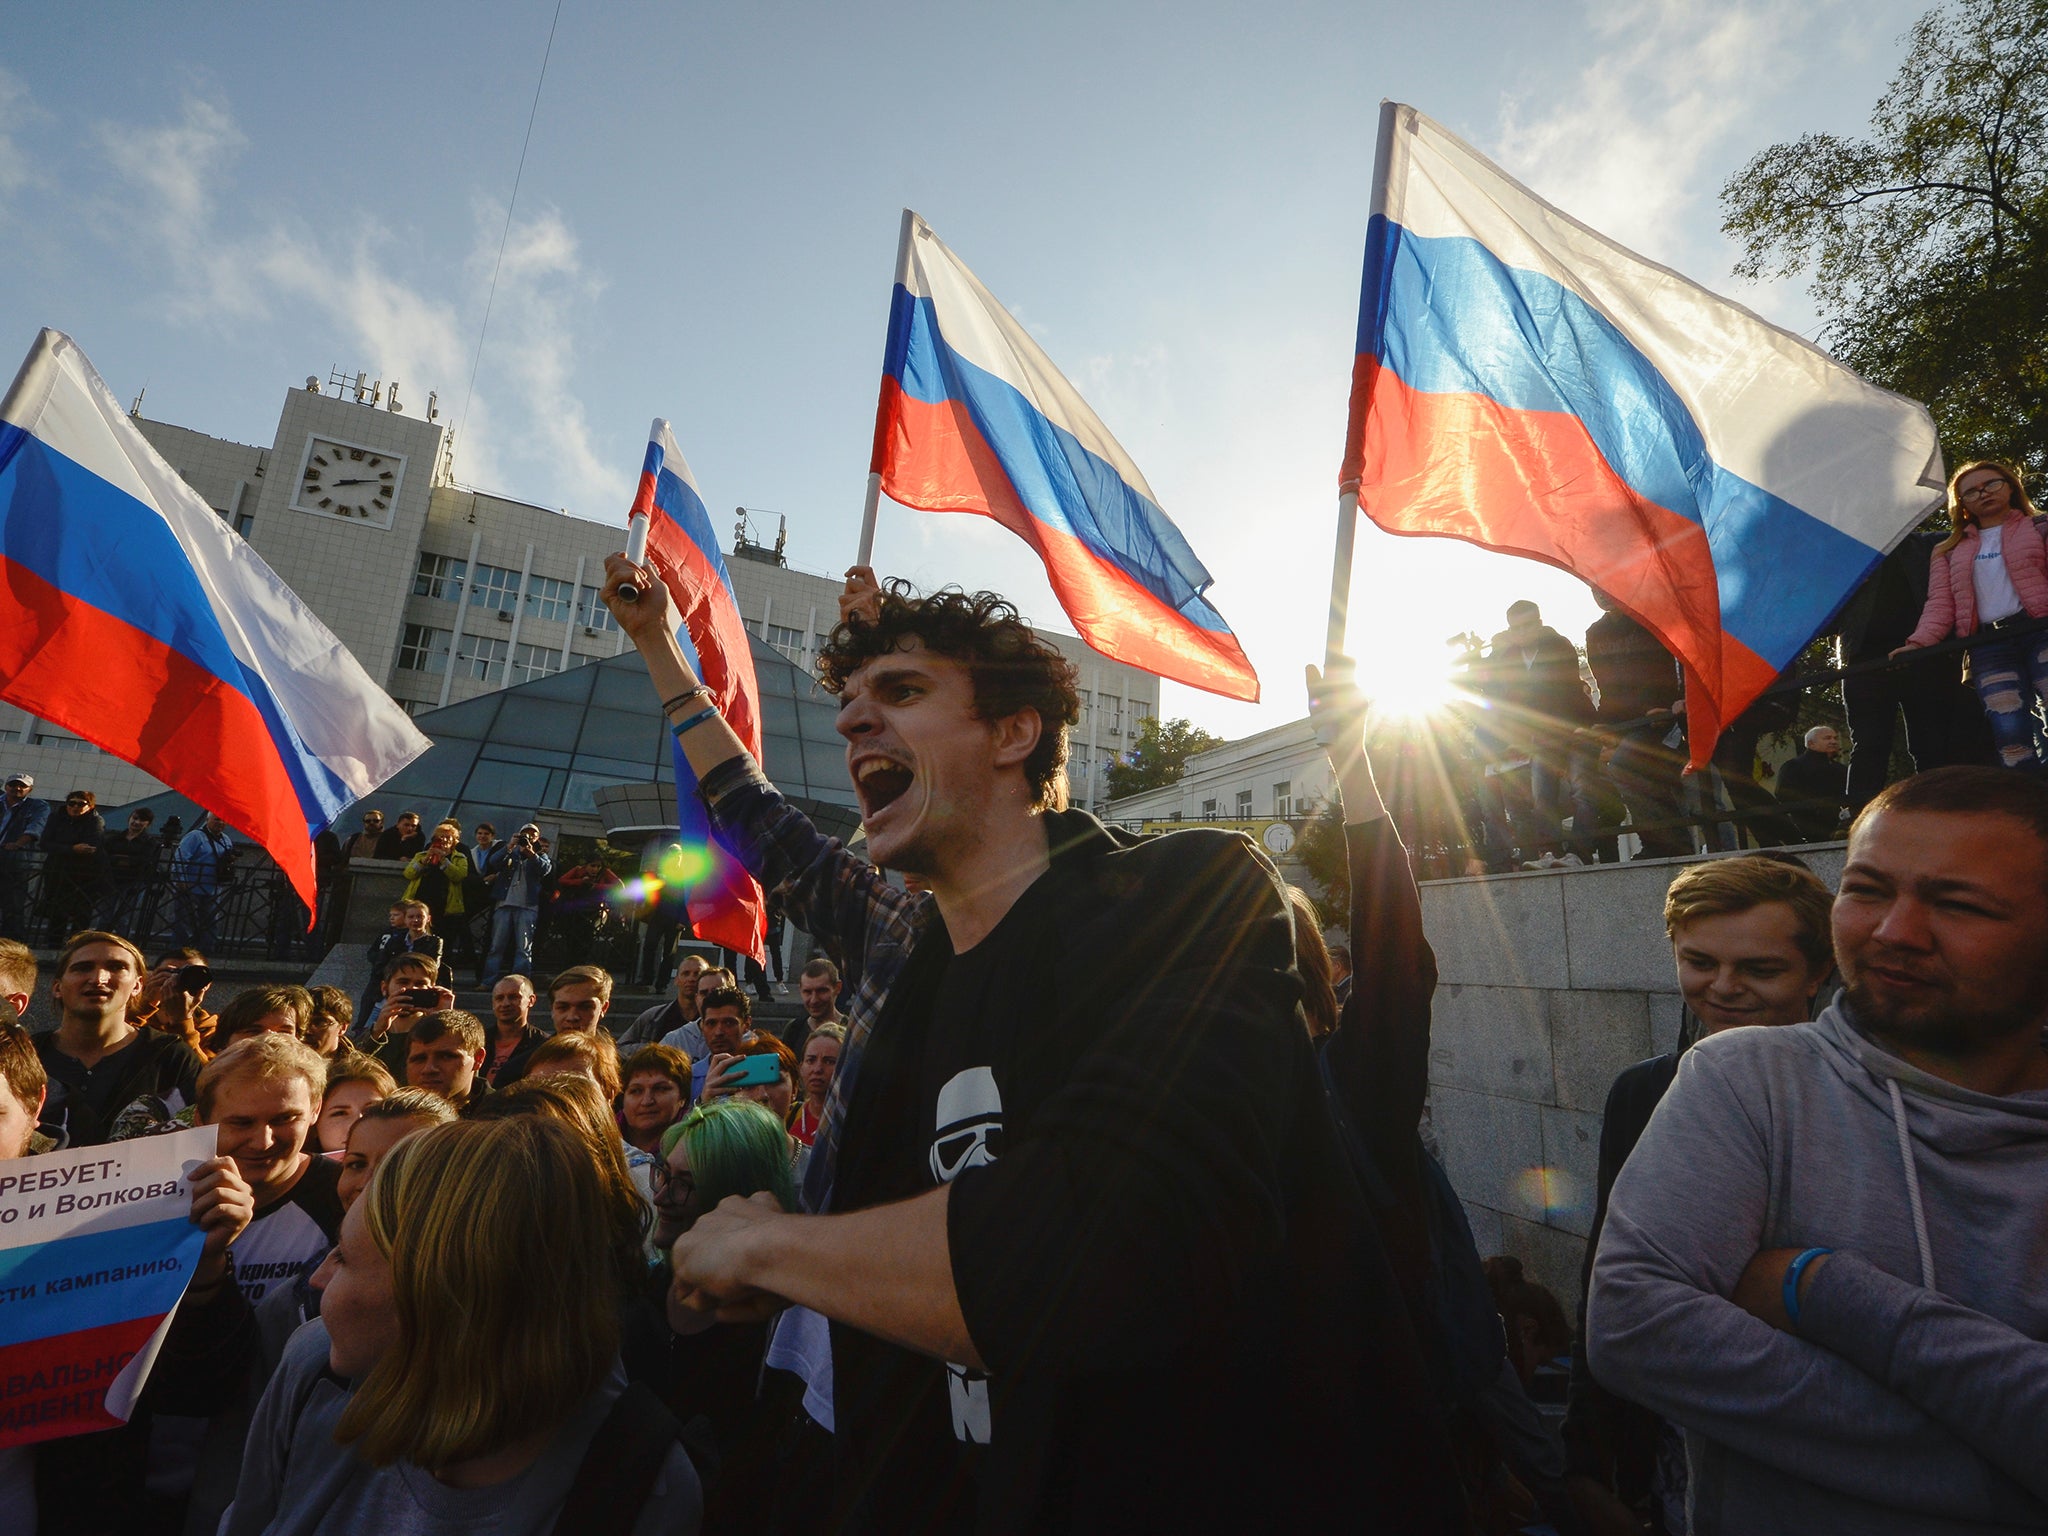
[{"x": 976, "y": 419}]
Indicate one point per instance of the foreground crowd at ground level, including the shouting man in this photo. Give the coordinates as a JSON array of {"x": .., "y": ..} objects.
[{"x": 1107, "y": 1203}]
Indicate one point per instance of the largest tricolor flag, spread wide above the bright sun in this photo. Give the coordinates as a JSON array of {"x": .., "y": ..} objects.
[{"x": 1529, "y": 386}]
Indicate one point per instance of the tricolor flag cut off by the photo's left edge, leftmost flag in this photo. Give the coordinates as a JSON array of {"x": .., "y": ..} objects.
[{"x": 136, "y": 617}]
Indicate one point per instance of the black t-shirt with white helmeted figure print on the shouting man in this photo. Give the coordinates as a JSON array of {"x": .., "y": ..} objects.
[{"x": 935, "y": 1111}]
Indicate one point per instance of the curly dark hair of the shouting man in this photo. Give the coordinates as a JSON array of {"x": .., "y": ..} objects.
[{"x": 1009, "y": 665}]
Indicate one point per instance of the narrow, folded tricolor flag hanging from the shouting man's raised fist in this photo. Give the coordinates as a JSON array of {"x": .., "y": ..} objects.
[{"x": 724, "y": 902}]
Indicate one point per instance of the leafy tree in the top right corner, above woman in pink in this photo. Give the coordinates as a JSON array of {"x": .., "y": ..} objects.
[{"x": 1926, "y": 243}]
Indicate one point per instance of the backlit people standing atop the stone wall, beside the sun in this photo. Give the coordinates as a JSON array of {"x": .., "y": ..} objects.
[{"x": 1558, "y": 751}]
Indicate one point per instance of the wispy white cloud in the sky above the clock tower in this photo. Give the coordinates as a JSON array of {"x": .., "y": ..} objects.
[{"x": 222, "y": 263}]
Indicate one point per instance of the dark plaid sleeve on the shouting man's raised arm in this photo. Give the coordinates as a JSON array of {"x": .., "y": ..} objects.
[{"x": 830, "y": 894}]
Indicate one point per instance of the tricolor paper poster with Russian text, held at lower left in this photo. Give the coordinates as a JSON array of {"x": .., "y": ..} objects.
[{"x": 97, "y": 1248}]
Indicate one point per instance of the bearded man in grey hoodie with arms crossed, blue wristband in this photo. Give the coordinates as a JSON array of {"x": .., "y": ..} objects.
[{"x": 1828, "y": 1258}]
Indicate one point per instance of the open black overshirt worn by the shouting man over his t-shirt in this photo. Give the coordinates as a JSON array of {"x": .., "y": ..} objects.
[{"x": 1170, "y": 1273}]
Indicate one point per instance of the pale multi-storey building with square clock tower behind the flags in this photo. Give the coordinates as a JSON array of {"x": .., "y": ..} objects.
[{"x": 447, "y": 593}]
